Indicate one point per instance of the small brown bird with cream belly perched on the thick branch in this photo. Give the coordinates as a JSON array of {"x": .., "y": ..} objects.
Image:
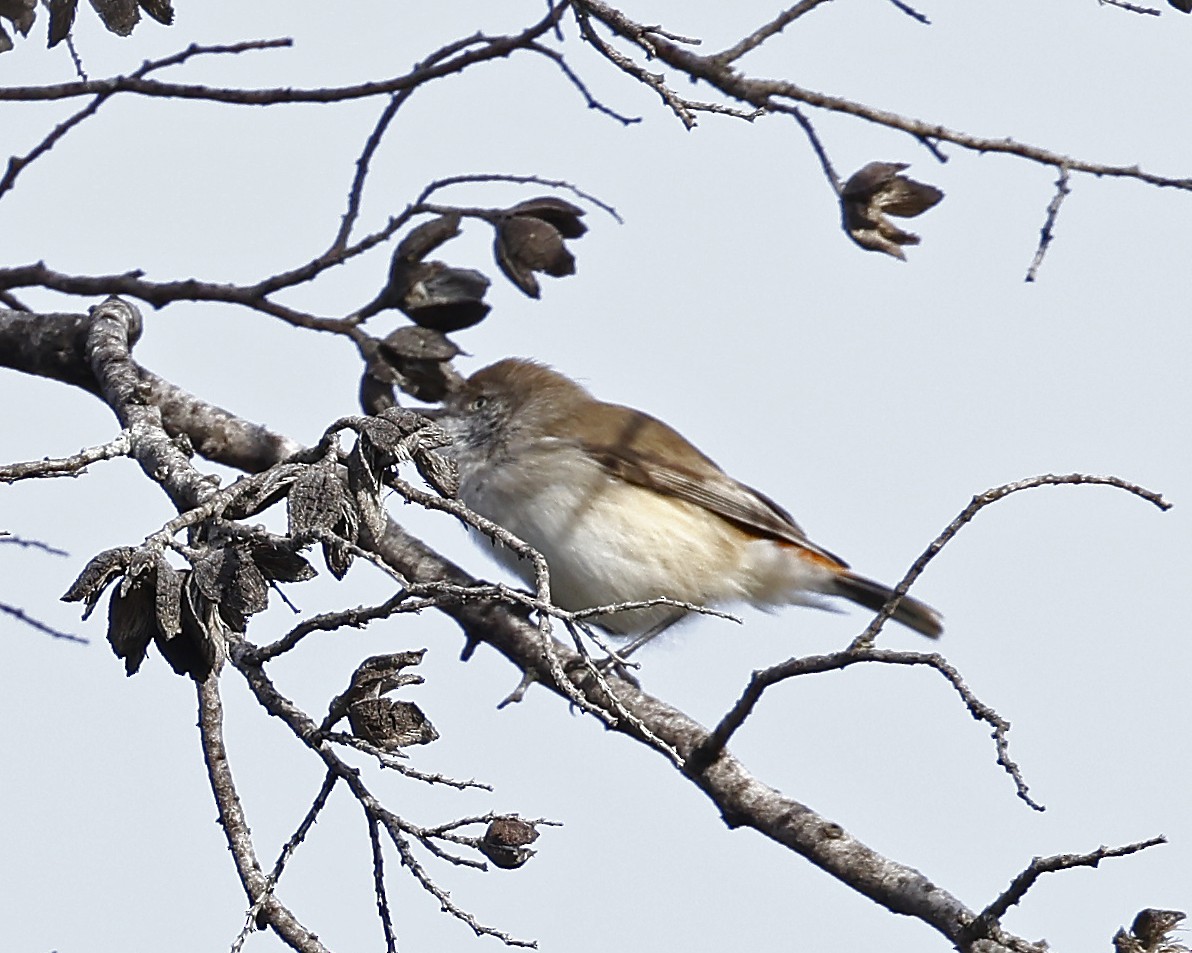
[{"x": 625, "y": 509}]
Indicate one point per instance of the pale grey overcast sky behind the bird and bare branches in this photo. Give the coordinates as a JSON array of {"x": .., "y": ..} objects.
[{"x": 871, "y": 398}]
